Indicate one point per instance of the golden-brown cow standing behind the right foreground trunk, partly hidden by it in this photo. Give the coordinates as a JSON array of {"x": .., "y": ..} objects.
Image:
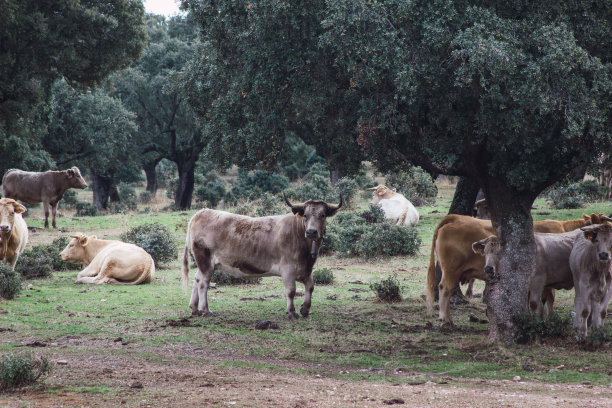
[{"x": 452, "y": 243}]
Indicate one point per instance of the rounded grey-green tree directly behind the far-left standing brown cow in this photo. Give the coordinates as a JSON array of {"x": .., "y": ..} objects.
[{"x": 95, "y": 131}]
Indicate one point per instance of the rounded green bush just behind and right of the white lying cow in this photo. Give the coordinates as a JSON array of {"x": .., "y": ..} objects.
[{"x": 415, "y": 184}]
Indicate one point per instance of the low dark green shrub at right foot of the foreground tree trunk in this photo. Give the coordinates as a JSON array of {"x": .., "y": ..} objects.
[{"x": 529, "y": 327}]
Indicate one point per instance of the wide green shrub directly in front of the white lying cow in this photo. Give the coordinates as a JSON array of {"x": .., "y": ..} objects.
[{"x": 387, "y": 239}]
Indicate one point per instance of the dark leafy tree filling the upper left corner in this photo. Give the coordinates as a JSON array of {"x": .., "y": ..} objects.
[{"x": 42, "y": 41}]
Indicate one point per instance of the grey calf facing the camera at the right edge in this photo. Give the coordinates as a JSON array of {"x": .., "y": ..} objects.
[{"x": 591, "y": 266}]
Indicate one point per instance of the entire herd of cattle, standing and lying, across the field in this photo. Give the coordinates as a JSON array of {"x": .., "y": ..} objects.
[{"x": 569, "y": 254}]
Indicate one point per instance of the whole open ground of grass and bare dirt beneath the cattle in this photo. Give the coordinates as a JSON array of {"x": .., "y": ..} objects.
[{"x": 138, "y": 346}]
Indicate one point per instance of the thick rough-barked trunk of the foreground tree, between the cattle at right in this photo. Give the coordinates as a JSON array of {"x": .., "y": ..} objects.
[{"x": 507, "y": 292}]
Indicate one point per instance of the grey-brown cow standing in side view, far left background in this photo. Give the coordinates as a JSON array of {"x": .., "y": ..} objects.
[{"x": 47, "y": 187}]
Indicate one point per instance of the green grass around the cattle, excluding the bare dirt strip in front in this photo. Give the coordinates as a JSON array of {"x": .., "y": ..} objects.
[{"x": 352, "y": 337}]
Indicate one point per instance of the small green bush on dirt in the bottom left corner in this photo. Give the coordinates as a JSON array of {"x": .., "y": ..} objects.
[{"x": 19, "y": 370}]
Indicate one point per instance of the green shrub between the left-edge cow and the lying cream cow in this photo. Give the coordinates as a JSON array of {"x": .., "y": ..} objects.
[{"x": 42, "y": 260}]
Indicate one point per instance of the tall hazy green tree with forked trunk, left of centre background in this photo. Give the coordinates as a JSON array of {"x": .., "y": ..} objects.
[{"x": 166, "y": 126}]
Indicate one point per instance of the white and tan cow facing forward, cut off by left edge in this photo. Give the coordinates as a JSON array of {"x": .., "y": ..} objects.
[{"x": 13, "y": 231}]
